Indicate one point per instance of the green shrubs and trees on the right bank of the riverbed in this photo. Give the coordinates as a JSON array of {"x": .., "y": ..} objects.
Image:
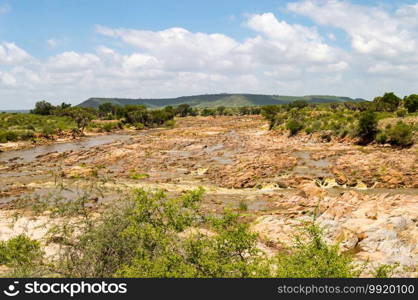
[{"x": 352, "y": 120}]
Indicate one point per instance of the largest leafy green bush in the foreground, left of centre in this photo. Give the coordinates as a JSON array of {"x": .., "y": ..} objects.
[{"x": 156, "y": 236}]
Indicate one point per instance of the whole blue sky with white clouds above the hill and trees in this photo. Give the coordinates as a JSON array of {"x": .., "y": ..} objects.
[{"x": 70, "y": 50}]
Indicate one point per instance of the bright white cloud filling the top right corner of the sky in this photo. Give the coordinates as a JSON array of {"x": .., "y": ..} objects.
[{"x": 372, "y": 30}]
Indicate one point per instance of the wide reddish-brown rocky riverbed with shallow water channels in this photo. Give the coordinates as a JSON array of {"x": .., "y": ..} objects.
[{"x": 365, "y": 198}]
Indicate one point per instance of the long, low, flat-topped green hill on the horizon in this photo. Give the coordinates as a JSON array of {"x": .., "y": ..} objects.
[{"x": 213, "y": 100}]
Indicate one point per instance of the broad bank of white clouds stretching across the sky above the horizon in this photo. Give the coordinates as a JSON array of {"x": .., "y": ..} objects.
[{"x": 276, "y": 57}]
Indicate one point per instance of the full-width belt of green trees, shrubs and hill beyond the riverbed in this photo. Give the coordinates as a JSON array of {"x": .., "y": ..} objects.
[{"x": 325, "y": 115}]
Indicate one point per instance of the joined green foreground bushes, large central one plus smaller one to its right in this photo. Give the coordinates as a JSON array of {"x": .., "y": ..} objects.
[{"x": 153, "y": 235}]
